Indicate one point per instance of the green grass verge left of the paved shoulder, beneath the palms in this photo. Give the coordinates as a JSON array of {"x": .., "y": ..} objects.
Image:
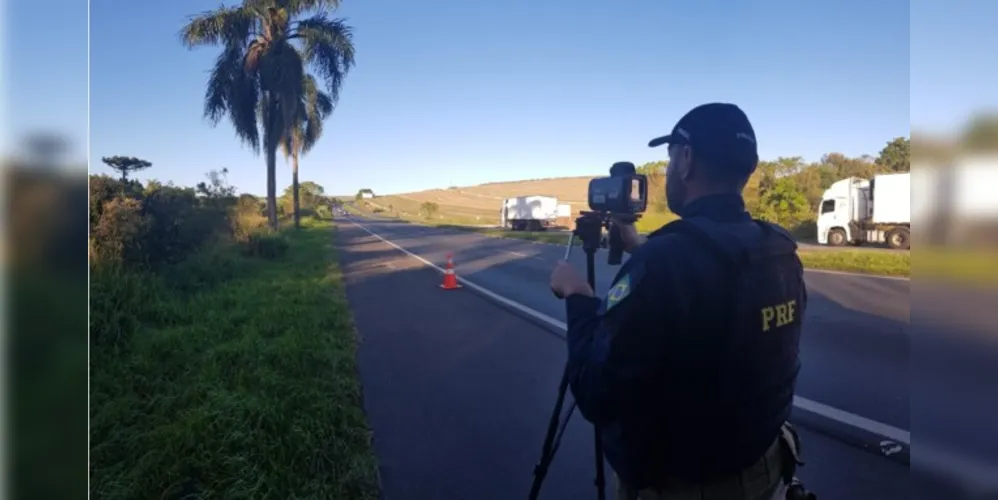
[{"x": 228, "y": 377}]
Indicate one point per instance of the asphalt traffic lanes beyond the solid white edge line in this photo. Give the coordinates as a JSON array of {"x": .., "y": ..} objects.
[{"x": 855, "y": 351}]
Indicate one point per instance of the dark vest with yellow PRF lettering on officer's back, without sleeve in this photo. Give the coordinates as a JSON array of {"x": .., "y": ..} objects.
[{"x": 728, "y": 384}]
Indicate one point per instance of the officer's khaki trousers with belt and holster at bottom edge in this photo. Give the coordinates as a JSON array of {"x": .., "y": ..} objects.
[{"x": 759, "y": 481}]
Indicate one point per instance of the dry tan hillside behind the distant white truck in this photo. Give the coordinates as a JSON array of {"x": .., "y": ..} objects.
[{"x": 479, "y": 205}]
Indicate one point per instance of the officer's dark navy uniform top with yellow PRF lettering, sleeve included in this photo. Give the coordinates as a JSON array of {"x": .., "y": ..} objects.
[{"x": 689, "y": 363}]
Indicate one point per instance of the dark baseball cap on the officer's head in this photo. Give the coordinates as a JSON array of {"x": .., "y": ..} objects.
[{"x": 718, "y": 132}]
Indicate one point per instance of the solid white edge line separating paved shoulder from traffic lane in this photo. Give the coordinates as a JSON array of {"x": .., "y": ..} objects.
[{"x": 826, "y": 411}]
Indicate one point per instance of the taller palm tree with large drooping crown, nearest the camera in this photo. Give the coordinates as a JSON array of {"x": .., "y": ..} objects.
[{"x": 261, "y": 72}]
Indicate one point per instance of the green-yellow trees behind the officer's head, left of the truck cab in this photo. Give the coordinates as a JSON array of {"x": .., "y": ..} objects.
[{"x": 788, "y": 190}]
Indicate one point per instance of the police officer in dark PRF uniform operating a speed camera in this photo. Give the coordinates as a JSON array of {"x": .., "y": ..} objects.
[{"x": 689, "y": 363}]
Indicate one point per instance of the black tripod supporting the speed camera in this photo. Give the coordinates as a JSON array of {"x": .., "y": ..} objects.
[{"x": 588, "y": 228}]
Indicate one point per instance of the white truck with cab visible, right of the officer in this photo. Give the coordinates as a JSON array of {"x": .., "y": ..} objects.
[{"x": 857, "y": 211}]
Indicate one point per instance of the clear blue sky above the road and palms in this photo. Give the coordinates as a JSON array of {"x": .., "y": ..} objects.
[{"x": 457, "y": 92}]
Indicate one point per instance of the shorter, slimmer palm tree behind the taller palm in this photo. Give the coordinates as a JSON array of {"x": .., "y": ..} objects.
[{"x": 313, "y": 108}]
